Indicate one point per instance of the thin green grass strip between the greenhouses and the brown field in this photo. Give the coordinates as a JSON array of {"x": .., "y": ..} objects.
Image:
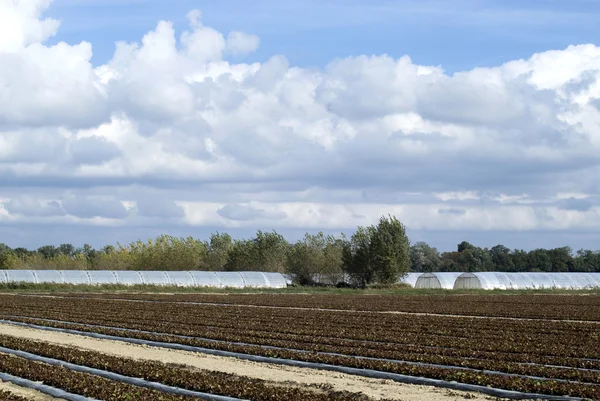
[{"x": 390, "y": 290}]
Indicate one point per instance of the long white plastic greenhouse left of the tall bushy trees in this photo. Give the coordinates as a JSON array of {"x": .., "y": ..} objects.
[{"x": 177, "y": 278}]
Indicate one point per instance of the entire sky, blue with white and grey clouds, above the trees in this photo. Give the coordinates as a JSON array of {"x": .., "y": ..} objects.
[{"x": 468, "y": 120}]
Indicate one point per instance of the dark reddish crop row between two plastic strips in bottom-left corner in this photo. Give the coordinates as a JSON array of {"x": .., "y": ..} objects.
[{"x": 81, "y": 383}]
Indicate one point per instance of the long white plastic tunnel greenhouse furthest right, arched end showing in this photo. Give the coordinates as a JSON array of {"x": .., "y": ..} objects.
[{"x": 517, "y": 281}]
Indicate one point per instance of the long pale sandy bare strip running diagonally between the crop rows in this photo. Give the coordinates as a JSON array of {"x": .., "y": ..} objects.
[{"x": 277, "y": 374}]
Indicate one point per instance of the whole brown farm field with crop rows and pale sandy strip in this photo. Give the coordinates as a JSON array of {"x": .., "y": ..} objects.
[{"x": 244, "y": 346}]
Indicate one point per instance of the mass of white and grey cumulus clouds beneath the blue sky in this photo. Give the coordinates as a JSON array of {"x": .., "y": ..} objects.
[{"x": 275, "y": 144}]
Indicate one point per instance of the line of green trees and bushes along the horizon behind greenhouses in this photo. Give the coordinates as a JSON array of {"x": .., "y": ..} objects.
[{"x": 374, "y": 254}]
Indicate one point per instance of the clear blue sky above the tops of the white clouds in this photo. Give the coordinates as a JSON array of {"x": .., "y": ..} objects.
[{"x": 458, "y": 35}]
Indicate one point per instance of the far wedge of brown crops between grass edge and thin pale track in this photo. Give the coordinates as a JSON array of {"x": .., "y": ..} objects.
[{"x": 533, "y": 306}]
